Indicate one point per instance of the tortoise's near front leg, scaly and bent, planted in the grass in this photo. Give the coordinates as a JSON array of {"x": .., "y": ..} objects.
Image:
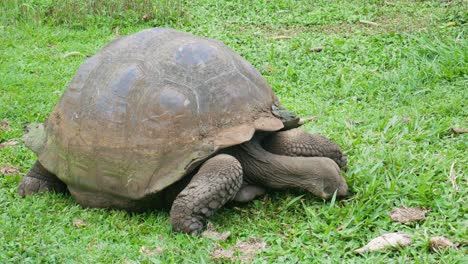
[{"x": 216, "y": 183}]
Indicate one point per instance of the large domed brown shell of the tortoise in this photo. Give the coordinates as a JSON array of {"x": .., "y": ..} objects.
[{"x": 149, "y": 108}]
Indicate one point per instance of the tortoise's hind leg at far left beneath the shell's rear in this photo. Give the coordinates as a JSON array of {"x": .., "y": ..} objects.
[{"x": 38, "y": 180}]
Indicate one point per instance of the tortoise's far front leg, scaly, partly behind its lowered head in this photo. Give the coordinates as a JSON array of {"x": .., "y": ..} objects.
[{"x": 298, "y": 143}]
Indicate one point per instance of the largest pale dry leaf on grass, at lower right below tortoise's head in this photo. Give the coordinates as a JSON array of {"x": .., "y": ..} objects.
[{"x": 384, "y": 241}]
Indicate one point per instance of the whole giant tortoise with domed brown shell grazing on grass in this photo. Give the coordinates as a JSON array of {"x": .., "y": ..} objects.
[{"x": 166, "y": 119}]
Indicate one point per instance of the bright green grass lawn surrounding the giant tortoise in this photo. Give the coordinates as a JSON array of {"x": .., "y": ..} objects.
[{"x": 389, "y": 93}]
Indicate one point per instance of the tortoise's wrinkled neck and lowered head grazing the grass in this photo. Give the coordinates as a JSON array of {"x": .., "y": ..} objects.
[{"x": 318, "y": 175}]
